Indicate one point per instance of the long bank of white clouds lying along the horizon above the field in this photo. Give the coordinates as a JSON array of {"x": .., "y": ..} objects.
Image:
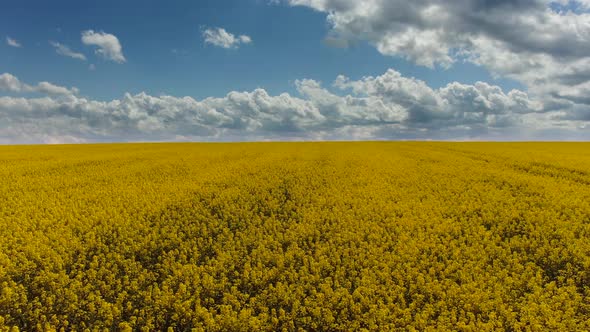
[{"x": 389, "y": 106}]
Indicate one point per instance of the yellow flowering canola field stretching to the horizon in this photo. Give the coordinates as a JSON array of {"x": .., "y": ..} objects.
[{"x": 376, "y": 236}]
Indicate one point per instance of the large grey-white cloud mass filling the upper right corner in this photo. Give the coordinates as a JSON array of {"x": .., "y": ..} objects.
[{"x": 541, "y": 43}]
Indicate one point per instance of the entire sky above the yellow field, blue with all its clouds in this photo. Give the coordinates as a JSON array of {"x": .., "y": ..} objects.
[{"x": 257, "y": 70}]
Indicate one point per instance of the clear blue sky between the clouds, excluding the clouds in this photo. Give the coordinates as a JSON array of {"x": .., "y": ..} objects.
[{"x": 166, "y": 54}]
